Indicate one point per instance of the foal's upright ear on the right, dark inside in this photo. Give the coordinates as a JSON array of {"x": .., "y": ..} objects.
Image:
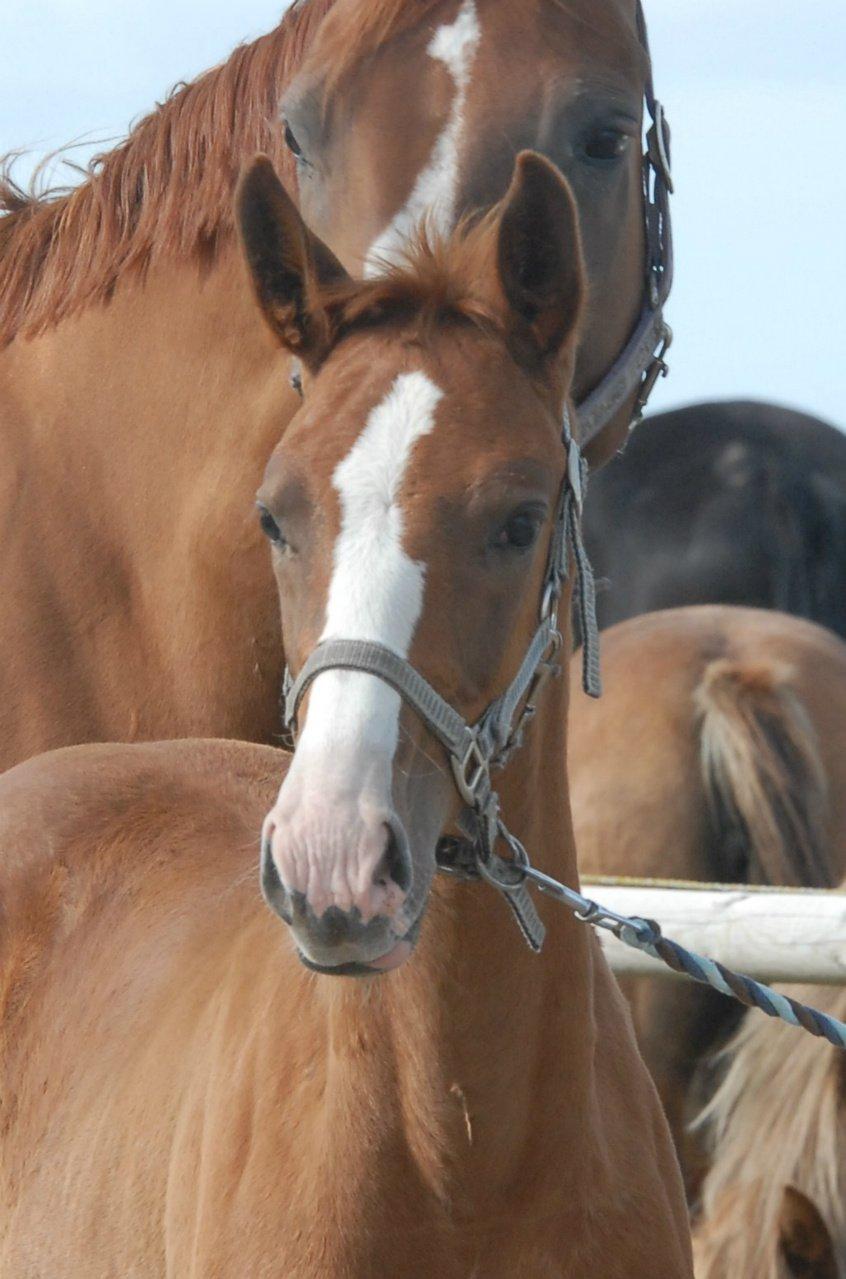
[{"x": 539, "y": 256}]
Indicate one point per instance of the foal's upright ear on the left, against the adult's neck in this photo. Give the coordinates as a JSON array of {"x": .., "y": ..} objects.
[{"x": 287, "y": 264}]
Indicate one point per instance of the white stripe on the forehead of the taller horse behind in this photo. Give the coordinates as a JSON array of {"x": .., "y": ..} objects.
[{"x": 435, "y": 192}]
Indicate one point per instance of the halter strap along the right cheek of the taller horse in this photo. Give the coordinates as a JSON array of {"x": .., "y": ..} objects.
[{"x": 642, "y": 363}]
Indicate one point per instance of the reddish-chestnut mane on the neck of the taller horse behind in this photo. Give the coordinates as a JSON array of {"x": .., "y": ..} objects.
[{"x": 166, "y": 191}]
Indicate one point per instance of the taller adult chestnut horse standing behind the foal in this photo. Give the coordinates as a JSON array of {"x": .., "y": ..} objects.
[{"x": 139, "y": 396}]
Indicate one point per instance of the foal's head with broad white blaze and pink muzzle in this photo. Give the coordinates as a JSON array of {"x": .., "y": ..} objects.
[{"x": 410, "y": 505}]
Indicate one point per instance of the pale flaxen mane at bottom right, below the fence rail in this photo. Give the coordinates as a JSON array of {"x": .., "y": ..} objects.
[{"x": 775, "y": 1121}]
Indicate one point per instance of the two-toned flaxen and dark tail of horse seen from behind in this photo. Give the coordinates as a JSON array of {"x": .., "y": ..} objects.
[{"x": 763, "y": 776}]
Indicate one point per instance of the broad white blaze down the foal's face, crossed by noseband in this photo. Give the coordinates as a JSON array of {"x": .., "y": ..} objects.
[{"x": 377, "y": 590}]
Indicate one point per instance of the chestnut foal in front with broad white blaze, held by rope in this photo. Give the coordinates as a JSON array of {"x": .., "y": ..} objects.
[{"x": 179, "y": 1089}]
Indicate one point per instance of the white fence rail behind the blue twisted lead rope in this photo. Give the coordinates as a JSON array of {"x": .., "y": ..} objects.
[{"x": 784, "y": 936}]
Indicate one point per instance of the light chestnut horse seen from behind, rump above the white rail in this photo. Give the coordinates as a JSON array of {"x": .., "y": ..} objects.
[{"x": 717, "y": 753}]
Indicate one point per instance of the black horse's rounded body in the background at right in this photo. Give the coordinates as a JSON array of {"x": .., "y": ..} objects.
[{"x": 726, "y": 503}]
